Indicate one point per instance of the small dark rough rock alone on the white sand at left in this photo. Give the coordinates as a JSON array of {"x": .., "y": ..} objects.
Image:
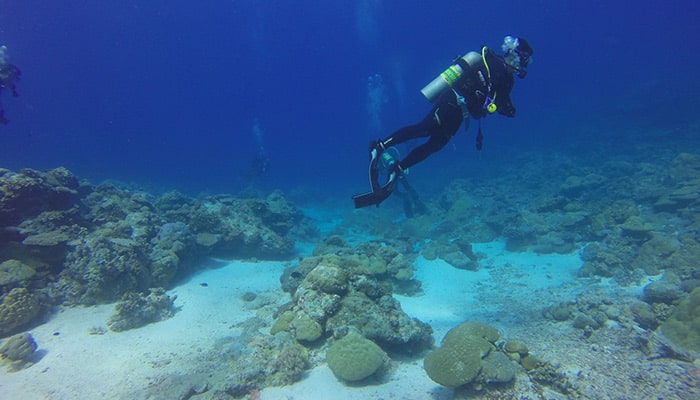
[{"x": 138, "y": 309}]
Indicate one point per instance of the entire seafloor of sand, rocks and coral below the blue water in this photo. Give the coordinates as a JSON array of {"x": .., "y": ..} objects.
[{"x": 577, "y": 277}]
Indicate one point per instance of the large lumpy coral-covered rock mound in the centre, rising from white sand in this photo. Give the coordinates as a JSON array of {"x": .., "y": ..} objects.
[{"x": 350, "y": 289}]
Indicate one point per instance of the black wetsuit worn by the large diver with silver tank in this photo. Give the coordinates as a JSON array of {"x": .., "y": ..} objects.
[{"x": 443, "y": 121}]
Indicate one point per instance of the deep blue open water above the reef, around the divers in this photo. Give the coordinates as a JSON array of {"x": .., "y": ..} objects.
[{"x": 183, "y": 95}]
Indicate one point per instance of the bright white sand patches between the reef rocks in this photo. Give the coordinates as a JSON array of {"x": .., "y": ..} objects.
[{"x": 77, "y": 365}]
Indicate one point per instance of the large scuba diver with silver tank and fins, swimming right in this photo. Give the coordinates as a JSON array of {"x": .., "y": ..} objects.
[{"x": 476, "y": 85}]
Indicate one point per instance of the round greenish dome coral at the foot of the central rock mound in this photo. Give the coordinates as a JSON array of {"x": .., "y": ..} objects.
[{"x": 354, "y": 357}]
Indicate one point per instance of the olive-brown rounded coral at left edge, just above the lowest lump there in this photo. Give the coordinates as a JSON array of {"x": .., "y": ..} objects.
[{"x": 18, "y": 308}]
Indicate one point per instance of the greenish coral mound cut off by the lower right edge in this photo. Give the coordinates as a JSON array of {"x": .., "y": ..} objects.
[{"x": 683, "y": 327}]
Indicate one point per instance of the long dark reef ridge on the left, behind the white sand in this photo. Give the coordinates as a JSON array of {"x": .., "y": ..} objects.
[{"x": 69, "y": 242}]
